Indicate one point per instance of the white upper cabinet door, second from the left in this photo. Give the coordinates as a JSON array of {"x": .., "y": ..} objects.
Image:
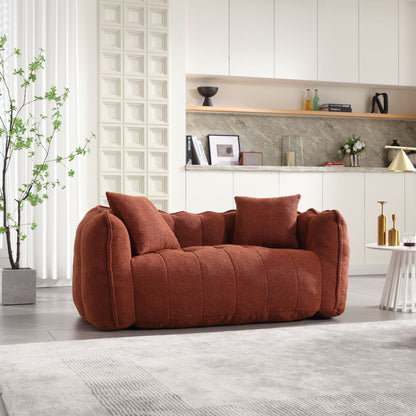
[{"x": 252, "y": 38}]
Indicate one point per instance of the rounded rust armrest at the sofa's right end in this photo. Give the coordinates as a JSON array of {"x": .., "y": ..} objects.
[{"x": 325, "y": 233}]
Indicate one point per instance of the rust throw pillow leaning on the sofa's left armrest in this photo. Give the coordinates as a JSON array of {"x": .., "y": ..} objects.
[{"x": 146, "y": 226}]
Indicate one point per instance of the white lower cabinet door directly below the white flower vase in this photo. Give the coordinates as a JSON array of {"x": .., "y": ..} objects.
[{"x": 345, "y": 192}]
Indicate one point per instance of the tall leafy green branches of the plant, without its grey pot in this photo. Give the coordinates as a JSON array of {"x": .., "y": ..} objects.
[{"x": 24, "y": 133}]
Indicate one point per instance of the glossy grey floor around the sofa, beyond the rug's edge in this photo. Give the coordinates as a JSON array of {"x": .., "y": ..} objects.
[{"x": 54, "y": 317}]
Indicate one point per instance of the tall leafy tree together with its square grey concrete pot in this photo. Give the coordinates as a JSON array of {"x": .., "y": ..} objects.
[{"x": 21, "y": 131}]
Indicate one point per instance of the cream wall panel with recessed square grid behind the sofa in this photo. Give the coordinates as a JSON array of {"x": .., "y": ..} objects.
[{"x": 133, "y": 99}]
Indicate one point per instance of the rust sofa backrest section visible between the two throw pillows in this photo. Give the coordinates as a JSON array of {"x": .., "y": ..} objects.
[{"x": 205, "y": 229}]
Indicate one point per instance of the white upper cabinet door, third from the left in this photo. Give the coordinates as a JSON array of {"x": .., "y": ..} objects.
[{"x": 296, "y": 39}]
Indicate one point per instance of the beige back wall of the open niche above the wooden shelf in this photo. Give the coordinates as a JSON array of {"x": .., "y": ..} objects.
[{"x": 289, "y": 95}]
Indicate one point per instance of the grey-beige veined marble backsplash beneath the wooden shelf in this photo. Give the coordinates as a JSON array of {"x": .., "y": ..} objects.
[{"x": 321, "y": 136}]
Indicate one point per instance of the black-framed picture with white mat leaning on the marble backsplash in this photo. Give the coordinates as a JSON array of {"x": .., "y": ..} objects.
[{"x": 224, "y": 149}]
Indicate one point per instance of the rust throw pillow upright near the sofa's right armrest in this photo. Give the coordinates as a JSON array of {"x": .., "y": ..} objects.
[{"x": 266, "y": 222}]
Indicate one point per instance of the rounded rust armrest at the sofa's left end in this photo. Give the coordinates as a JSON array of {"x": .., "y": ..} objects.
[{"x": 102, "y": 280}]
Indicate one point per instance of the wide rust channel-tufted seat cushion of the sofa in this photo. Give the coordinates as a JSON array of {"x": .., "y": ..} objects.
[{"x": 225, "y": 284}]
